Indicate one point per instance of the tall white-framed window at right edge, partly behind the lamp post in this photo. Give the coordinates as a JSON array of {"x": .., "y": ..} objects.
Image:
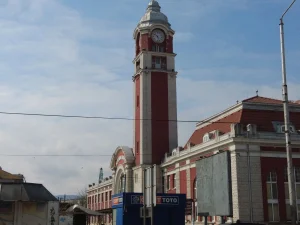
[{"x": 286, "y": 191}]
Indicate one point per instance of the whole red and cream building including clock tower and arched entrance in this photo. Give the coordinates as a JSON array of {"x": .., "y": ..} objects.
[{"x": 253, "y": 127}]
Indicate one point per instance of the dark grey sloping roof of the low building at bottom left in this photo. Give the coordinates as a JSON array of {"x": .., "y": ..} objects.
[{"x": 25, "y": 192}]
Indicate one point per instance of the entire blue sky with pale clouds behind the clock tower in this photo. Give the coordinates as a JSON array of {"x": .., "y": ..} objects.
[{"x": 75, "y": 57}]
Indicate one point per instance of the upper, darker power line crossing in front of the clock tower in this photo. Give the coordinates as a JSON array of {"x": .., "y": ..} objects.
[{"x": 105, "y": 118}]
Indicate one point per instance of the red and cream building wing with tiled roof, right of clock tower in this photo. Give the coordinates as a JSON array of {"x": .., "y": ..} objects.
[{"x": 254, "y": 125}]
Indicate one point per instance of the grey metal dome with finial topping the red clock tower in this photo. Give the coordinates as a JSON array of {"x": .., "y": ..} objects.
[{"x": 153, "y": 15}]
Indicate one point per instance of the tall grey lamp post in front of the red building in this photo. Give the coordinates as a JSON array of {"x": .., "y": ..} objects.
[{"x": 290, "y": 169}]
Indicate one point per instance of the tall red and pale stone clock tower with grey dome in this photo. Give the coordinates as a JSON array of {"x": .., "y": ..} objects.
[{"x": 155, "y": 104}]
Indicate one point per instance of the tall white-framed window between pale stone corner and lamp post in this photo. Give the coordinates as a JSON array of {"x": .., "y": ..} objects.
[{"x": 272, "y": 197}]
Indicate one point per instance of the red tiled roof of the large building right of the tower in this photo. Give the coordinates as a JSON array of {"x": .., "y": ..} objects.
[{"x": 244, "y": 113}]
